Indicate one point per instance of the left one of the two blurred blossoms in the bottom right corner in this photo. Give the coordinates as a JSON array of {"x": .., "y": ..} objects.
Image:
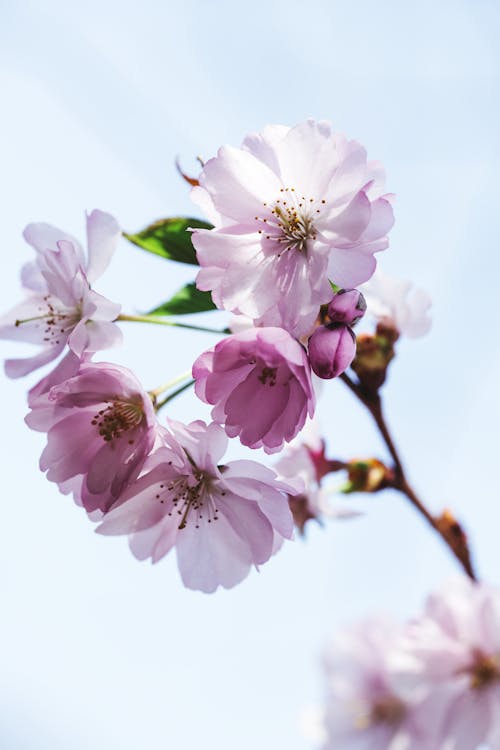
[{"x": 371, "y": 704}]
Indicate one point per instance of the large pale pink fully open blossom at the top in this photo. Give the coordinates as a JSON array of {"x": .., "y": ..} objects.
[{"x": 293, "y": 207}]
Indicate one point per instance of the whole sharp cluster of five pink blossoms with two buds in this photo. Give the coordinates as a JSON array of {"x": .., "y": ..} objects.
[{"x": 298, "y": 215}]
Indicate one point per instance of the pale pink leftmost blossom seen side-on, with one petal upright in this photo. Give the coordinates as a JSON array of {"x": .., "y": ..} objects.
[{"x": 62, "y": 308}]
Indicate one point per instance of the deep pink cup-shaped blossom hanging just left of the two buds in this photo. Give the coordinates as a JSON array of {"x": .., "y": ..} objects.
[{"x": 260, "y": 383}]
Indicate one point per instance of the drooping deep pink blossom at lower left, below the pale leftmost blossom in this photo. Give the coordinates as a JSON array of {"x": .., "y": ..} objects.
[{"x": 100, "y": 427}]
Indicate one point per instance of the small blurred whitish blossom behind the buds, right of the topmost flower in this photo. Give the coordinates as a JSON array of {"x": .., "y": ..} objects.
[{"x": 395, "y": 304}]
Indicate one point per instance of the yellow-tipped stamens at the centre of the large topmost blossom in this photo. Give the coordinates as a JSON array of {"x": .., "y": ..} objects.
[{"x": 291, "y": 221}]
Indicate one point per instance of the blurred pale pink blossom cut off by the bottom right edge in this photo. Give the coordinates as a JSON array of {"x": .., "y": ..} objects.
[{"x": 457, "y": 641}]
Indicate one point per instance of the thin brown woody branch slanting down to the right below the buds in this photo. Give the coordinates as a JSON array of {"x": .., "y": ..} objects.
[{"x": 447, "y": 528}]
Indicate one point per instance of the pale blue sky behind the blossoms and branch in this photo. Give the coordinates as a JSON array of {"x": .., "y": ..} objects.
[{"x": 98, "y": 650}]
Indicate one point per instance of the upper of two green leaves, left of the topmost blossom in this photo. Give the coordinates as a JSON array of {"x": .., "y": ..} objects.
[{"x": 170, "y": 238}]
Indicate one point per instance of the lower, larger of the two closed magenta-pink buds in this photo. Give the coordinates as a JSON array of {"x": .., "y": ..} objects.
[{"x": 331, "y": 350}]
